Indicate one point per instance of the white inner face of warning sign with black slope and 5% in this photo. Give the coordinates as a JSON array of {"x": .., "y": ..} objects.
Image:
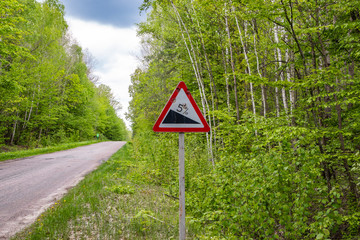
[{"x": 181, "y": 114}]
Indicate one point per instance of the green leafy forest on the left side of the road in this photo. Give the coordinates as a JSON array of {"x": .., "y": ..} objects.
[{"x": 48, "y": 91}]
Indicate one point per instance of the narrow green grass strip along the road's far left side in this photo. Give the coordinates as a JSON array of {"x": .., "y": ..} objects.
[{"x": 31, "y": 152}]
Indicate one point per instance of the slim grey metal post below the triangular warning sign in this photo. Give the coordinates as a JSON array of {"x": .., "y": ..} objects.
[{"x": 182, "y": 230}]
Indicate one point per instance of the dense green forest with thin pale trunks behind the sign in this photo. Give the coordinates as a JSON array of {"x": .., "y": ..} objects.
[{"x": 278, "y": 82}]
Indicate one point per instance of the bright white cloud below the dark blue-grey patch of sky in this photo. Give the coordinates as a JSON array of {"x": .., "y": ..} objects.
[{"x": 115, "y": 51}]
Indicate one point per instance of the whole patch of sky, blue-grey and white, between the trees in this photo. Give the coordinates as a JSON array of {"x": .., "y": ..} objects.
[{"x": 107, "y": 29}]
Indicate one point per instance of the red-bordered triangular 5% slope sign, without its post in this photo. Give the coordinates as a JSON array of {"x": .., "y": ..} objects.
[{"x": 181, "y": 114}]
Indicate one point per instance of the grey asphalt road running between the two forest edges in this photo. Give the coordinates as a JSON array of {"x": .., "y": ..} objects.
[{"x": 30, "y": 185}]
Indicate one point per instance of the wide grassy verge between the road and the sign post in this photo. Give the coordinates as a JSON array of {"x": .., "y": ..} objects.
[{"x": 114, "y": 202}]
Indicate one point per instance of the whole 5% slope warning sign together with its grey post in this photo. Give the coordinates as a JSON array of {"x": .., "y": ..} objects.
[{"x": 181, "y": 114}]
